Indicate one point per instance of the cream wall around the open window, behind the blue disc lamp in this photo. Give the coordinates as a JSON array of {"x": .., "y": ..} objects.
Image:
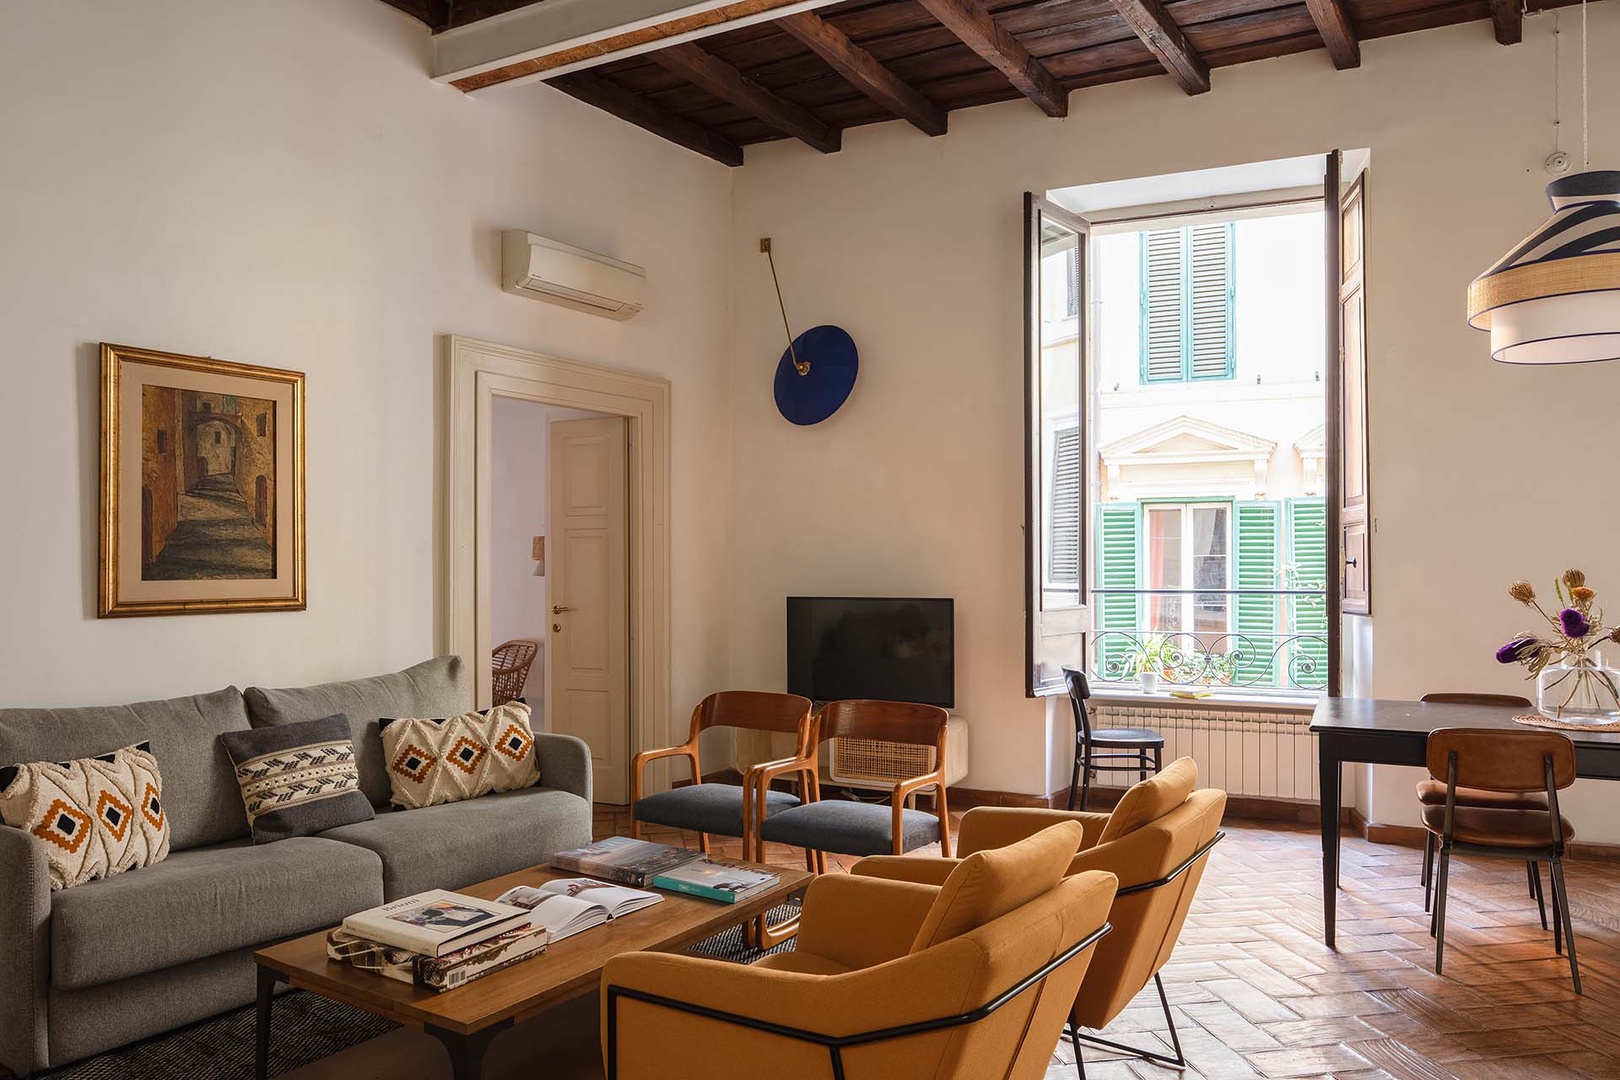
[{"x": 916, "y": 247}]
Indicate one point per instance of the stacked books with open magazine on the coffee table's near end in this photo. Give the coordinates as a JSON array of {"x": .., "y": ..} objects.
[{"x": 445, "y": 940}]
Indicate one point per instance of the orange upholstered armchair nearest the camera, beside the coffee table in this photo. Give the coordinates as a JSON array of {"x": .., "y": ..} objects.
[{"x": 963, "y": 980}]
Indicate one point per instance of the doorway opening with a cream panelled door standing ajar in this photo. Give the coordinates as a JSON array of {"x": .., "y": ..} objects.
[{"x": 560, "y": 564}]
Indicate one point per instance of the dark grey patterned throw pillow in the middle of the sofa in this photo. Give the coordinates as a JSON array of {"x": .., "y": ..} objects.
[{"x": 299, "y": 780}]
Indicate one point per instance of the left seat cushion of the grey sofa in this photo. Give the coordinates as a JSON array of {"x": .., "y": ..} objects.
[{"x": 207, "y": 901}]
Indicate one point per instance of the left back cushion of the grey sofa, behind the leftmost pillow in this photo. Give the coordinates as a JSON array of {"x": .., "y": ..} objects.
[{"x": 200, "y": 786}]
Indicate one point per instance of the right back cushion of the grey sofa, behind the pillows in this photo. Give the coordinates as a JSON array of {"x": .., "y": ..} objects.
[{"x": 437, "y": 687}]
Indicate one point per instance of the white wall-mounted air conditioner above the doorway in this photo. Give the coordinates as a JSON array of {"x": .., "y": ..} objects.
[{"x": 560, "y": 274}]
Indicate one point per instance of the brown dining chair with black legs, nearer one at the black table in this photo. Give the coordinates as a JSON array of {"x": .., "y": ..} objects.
[{"x": 1509, "y": 763}]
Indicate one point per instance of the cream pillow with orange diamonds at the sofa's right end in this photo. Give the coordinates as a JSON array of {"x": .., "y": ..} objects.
[{"x": 463, "y": 757}]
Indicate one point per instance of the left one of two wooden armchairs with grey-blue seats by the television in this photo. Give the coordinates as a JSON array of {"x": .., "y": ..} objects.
[{"x": 720, "y": 809}]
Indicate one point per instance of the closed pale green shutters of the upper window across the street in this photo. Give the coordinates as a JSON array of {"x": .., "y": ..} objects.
[{"x": 1188, "y": 312}]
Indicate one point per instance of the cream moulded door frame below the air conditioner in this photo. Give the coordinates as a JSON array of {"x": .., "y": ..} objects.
[{"x": 479, "y": 373}]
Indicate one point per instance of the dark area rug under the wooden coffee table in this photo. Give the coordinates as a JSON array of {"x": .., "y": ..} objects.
[{"x": 309, "y": 1029}]
